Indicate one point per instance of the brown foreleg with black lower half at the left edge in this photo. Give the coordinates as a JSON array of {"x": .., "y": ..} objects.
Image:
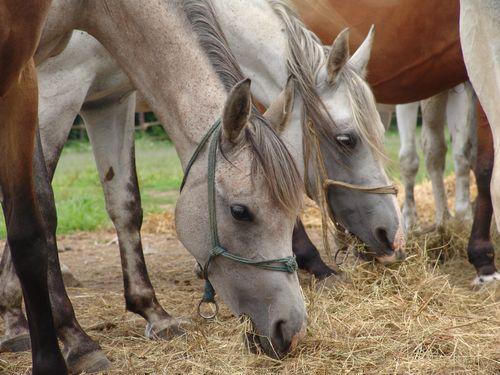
[{"x": 19, "y": 113}]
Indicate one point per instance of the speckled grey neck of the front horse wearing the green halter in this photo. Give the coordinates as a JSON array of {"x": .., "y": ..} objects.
[{"x": 150, "y": 42}]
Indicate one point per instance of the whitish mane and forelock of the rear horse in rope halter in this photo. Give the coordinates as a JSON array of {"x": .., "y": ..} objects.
[{"x": 306, "y": 58}]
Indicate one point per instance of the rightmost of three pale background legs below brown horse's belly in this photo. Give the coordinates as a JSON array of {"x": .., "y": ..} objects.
[{"x": 459, "y": 115}]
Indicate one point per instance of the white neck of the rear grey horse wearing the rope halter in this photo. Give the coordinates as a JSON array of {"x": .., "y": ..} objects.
[{"x": 259, "y": 44}]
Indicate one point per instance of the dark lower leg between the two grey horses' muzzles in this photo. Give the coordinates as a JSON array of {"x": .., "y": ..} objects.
[{"x": 308, "y": 257}]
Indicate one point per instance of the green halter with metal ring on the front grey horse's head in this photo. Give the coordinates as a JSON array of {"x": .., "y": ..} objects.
[{"x": 286, "y": 264}]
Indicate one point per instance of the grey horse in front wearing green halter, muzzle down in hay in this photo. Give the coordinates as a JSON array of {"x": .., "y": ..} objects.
[{"x": 257, "y": 177}]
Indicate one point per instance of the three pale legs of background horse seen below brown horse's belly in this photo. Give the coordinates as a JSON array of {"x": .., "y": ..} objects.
[{"x": 457, "y": 107}]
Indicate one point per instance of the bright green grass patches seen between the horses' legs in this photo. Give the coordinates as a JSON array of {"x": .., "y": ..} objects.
[{"x": 79, "y": 196}]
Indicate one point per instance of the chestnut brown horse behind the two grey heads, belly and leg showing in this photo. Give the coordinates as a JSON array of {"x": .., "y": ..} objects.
[{"x": 416, "y": 55}]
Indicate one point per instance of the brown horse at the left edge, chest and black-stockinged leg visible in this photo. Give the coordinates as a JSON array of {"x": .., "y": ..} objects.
[{"x": 20, "y": 28}]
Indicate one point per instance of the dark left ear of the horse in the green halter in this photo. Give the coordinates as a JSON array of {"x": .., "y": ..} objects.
[{"x": 237, "y": 111}]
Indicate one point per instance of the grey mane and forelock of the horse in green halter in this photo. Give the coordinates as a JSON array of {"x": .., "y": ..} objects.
[{"x": 272, "y": 158}]
